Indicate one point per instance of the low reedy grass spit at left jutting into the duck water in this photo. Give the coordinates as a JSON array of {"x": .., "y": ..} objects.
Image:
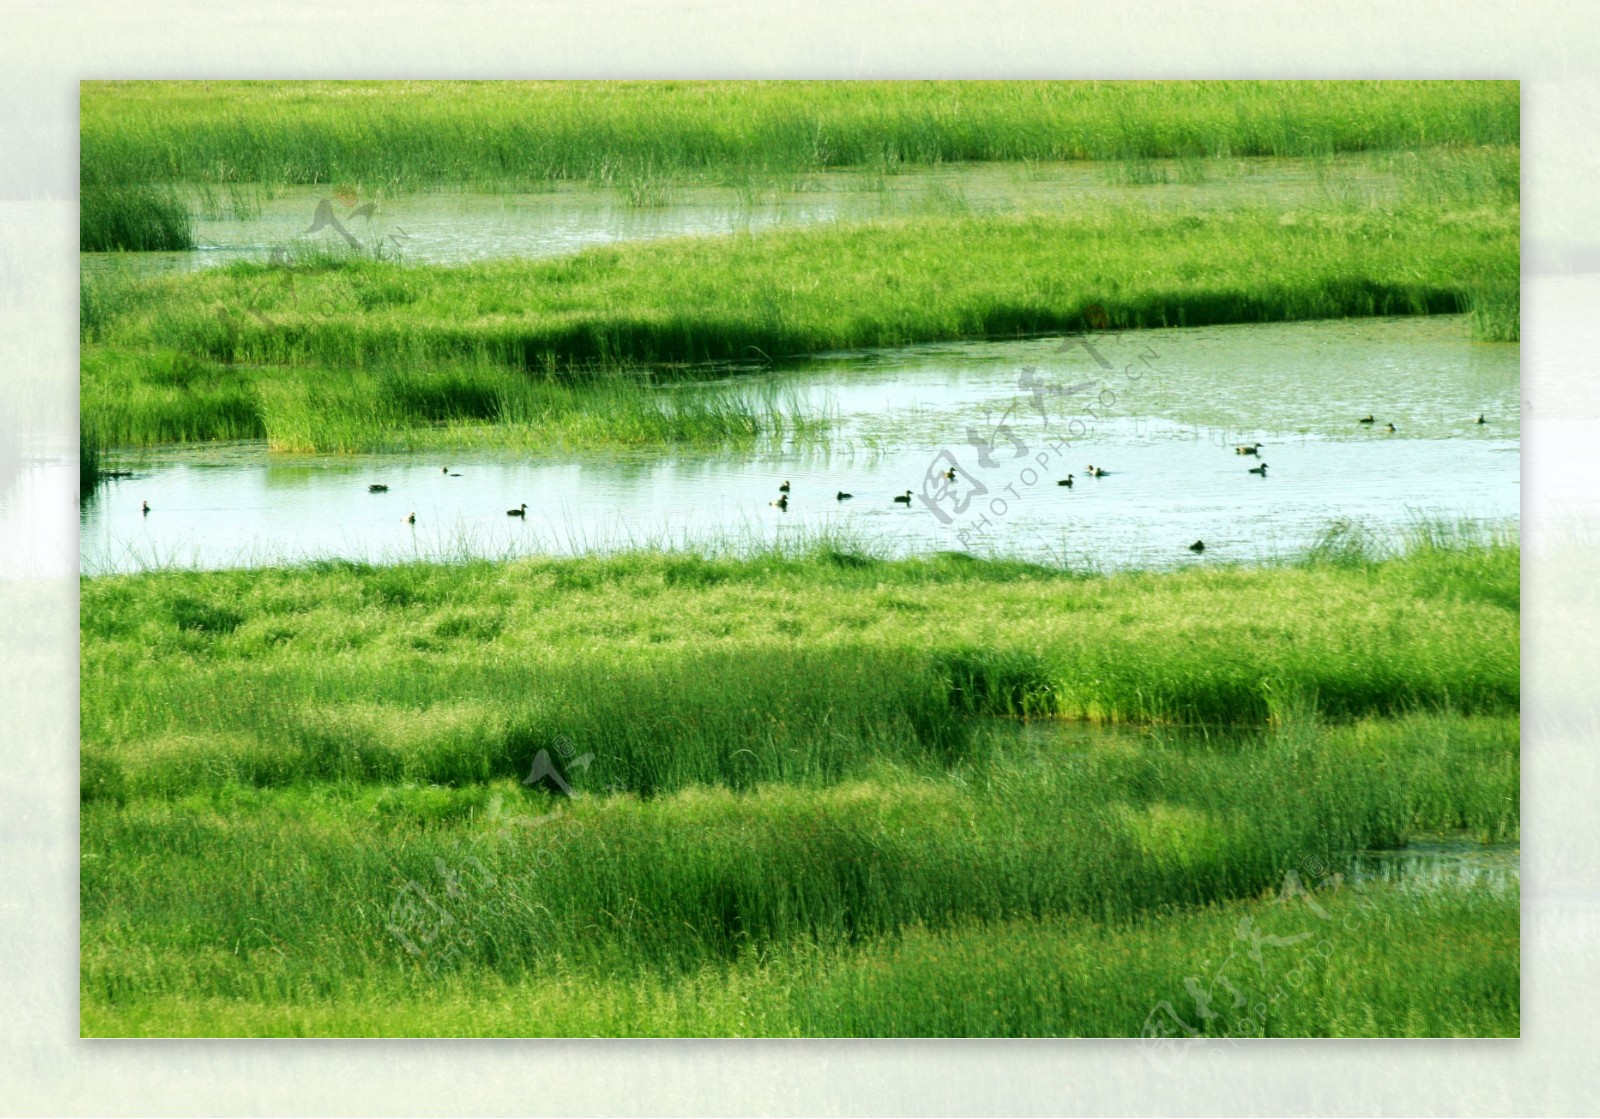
[{"x": 150, "y": 398}]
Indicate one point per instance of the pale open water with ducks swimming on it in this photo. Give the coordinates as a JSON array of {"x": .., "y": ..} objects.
[{"x": 903, "y": 417}]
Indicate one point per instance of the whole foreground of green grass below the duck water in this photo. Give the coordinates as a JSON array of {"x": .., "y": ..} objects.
[{"x": 284, "y": 768}]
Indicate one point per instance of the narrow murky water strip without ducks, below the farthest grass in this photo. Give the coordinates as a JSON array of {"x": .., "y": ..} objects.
[{"x": 465, "y": 227}]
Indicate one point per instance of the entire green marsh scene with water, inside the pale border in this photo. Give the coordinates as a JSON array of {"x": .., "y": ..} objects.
[{"x": 662, "y": 758}]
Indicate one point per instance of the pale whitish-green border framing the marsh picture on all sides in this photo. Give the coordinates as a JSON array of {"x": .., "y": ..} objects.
[{"x": 46, "y": 49}]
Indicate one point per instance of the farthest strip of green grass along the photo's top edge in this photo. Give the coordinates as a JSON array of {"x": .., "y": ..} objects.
[{"x": 386, "y": 137}]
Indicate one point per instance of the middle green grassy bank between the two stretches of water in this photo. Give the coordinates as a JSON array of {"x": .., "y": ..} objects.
[{"x": 351, "y": 355}]
